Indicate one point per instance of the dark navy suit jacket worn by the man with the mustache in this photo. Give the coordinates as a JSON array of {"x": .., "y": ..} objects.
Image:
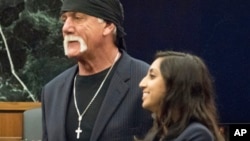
[{"x": 120, "y": 116}]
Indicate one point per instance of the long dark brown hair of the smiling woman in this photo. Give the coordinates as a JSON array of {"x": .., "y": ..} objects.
[{"x": 190, "y": 96}]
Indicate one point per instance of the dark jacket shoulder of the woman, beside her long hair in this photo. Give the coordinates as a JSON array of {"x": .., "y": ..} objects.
[{"x": 196, "y": 132}]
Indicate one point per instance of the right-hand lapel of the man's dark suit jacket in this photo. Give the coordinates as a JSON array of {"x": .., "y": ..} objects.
[{"x": 117, "y": 90}]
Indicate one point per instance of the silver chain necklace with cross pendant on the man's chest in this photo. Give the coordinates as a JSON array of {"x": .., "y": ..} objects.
[{"x": 79, "y": 130}]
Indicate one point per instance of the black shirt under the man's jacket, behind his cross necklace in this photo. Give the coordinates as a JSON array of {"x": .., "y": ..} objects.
[{"x": 86, "y": 87}]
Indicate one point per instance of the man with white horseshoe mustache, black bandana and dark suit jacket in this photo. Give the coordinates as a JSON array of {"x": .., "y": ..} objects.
[{"x": 98, "y": 99}]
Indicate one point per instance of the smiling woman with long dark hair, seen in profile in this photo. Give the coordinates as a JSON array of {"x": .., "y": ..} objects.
[{"x": 178, "y": 90}]
